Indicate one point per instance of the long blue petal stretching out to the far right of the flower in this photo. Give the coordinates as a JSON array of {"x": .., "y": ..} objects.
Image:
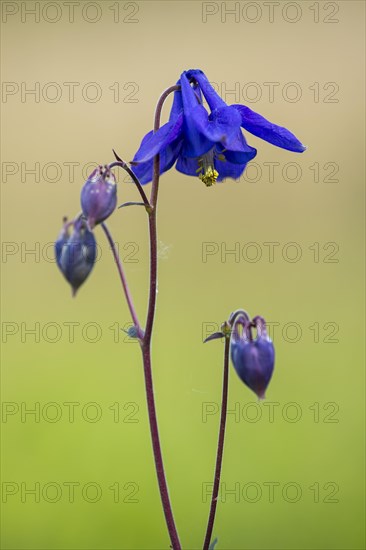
[{"x": 262, "y": 128}]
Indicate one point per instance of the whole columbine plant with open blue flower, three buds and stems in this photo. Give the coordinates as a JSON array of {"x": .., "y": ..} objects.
[{"x": 208, "y": 144}]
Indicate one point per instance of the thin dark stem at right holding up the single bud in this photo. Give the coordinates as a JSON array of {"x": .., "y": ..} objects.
[{"x": 220, "y": 446}]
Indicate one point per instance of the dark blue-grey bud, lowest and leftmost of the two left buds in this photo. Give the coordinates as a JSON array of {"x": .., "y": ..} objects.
[{"x": 75, "y": 252}]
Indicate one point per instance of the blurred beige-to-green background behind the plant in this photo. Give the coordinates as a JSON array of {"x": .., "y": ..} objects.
[{"x": 293, "y": 471}]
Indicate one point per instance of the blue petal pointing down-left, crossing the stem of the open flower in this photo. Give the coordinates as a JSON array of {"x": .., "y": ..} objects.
[{"x": 154, "y": 143}]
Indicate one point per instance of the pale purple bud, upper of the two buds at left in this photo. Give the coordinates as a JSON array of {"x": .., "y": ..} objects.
[{"x": 99, "y": 196}]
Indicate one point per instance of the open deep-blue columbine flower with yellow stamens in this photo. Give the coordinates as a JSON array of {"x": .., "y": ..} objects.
[{"x": 210, "y": 146}]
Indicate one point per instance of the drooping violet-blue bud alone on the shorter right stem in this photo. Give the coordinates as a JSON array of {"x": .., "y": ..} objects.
[{"x": 253, "y": 359}]
